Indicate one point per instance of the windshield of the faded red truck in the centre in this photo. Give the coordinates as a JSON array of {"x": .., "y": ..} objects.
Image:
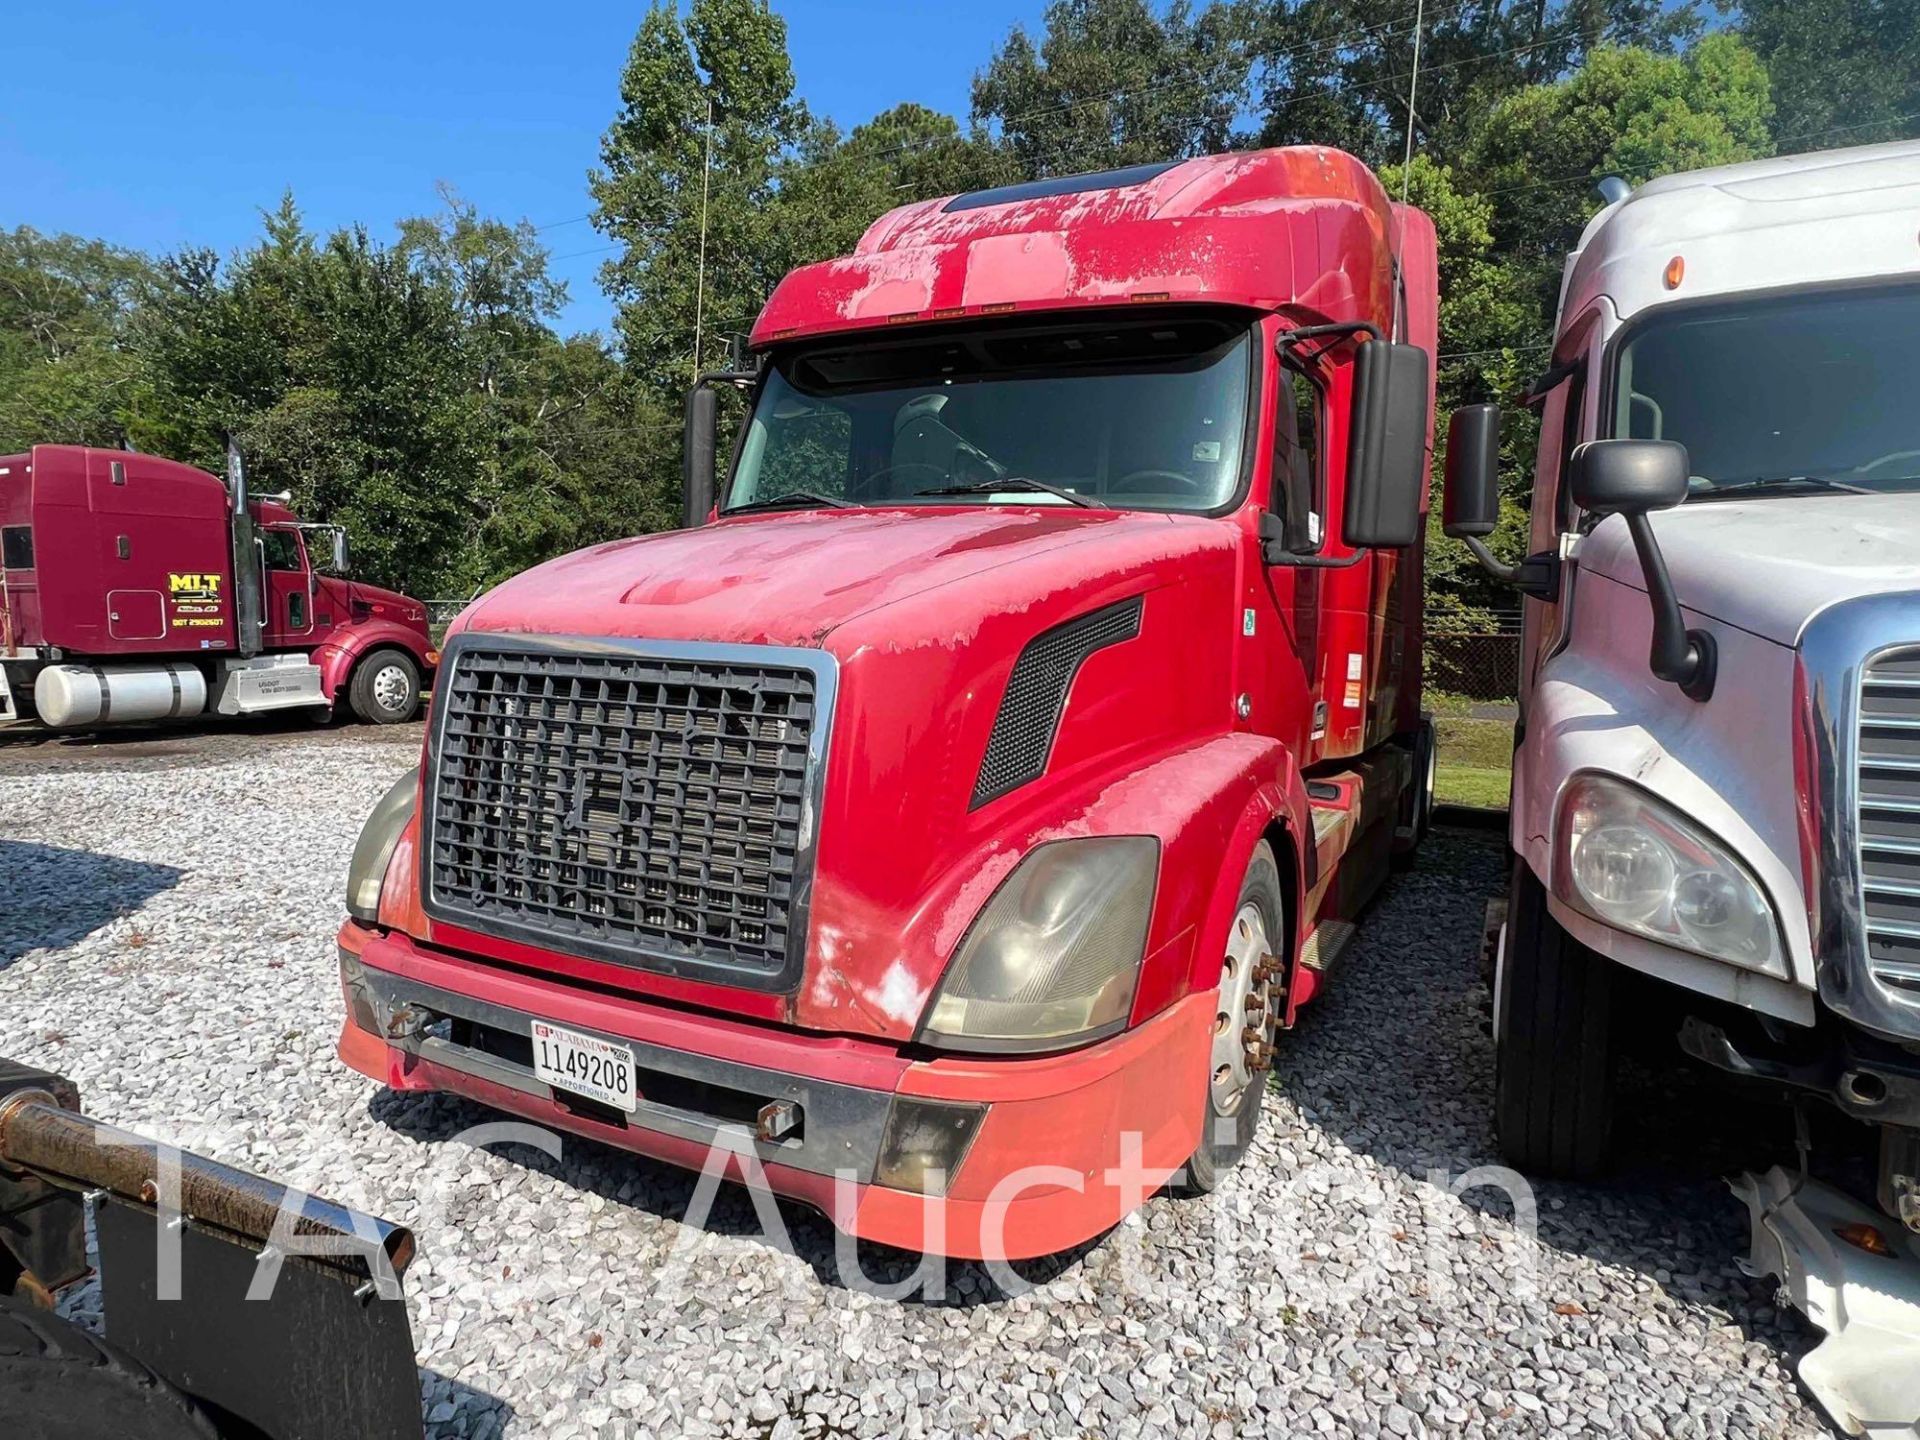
[{"x": 1138, "y": 416}]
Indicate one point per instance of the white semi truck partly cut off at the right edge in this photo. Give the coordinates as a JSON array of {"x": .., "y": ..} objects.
[{"x": 1716, "y": 811}]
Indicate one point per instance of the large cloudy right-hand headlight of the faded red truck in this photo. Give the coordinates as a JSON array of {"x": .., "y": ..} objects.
[{"x": 1057, "y": 951}]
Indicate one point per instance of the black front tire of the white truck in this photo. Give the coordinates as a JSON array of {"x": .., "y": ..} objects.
[{"x": 1554, "y": 1044}]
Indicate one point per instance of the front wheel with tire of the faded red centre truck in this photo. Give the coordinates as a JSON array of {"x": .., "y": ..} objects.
[{"x": 1251, "y": 969}]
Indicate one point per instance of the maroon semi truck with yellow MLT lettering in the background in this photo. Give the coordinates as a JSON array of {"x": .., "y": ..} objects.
[{"x": 137, "y": 588}]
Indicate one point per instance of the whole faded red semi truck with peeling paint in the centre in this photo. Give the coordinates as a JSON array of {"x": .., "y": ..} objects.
[{"x": 984, "y": 780}]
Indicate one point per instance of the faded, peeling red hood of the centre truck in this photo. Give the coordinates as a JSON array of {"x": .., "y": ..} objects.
[{"x": 926, "y": 612}]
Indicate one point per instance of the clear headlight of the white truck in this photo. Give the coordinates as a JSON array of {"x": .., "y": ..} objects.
[{"x": 1639, "y": 865}]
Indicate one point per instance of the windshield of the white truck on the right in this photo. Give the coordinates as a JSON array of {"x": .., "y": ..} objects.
[{"x": 1806, "y": 395}]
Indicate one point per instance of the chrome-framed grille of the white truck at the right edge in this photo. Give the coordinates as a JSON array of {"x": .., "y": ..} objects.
[{"x": 1863, "y": 725}]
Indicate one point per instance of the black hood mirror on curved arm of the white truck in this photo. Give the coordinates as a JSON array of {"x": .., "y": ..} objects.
[{"x": 1631, "y": 479}]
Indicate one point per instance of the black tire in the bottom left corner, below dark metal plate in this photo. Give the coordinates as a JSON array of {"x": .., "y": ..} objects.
[{"x": 62, "y": 1383}]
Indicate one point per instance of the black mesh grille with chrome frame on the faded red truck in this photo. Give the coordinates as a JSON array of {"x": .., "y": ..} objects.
[{"x": 638, "y": 804}]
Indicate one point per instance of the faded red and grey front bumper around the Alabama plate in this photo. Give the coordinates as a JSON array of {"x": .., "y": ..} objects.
[{"x": 1065, "y": 1145}]
